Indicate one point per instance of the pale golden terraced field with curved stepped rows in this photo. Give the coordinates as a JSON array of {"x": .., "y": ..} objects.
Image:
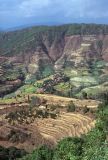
[{"x": 67, "y": 125}]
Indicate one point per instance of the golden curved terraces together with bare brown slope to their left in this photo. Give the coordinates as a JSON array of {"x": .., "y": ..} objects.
[{"x": 44, "y": 131}]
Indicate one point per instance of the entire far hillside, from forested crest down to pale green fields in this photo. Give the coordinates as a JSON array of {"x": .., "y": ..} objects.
[{"x": 77, "y": 51}]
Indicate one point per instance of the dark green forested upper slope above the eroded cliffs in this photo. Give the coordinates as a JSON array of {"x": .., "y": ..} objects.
[{"x": 27, "y": 39}]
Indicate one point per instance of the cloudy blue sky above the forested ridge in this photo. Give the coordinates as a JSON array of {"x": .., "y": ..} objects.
[{"x": 14, "y": 13}]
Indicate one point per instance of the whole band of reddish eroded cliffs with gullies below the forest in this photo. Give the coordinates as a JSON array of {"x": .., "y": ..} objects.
[{"x": 76, "y": 50}]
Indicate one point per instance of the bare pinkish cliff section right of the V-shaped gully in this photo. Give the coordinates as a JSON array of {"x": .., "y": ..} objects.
[{"x": 78, "y": 51}]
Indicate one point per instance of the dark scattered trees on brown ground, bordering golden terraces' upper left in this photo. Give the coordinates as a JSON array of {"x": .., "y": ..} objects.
[{"x": 28, "y": 116}]
